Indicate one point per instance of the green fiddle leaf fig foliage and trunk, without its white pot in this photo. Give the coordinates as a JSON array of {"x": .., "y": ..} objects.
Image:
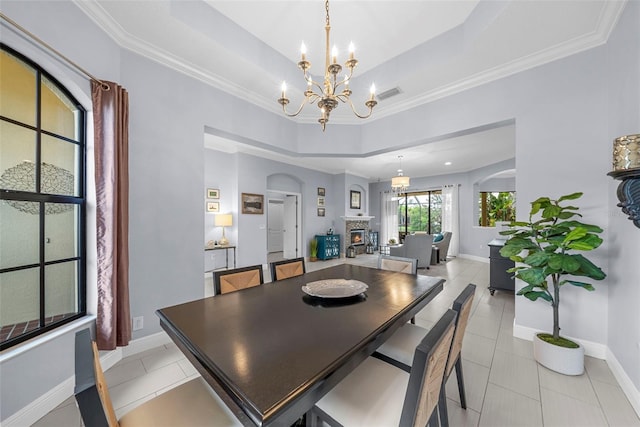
[{"x": 548, "y": 252}]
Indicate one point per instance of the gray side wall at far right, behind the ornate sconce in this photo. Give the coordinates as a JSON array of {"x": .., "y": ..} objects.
[{"x": 623, "y": 79}]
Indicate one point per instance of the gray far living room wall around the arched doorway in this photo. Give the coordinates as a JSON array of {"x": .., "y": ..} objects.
[{"x": 228, "y": 173}]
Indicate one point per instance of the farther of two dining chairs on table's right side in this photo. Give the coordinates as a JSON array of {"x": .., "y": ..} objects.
[{"x": 397, "y": 350}]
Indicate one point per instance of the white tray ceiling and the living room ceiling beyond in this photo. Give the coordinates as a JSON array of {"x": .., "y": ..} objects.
[{"x": 427, "y": 49}]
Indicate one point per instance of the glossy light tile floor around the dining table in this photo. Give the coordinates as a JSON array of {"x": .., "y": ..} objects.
[{"x": 505, "y": 386}]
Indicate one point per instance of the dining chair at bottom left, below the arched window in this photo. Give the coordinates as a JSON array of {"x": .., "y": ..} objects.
[{"x": 189, "y": 404}]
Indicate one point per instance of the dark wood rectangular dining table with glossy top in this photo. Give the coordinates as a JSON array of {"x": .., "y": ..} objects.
[{"x": 272, "y": 351}]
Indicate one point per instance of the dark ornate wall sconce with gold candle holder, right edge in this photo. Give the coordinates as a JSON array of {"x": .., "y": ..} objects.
[{"x": 626, "y": 167}]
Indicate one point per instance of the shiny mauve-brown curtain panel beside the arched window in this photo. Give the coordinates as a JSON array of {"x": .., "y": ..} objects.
[{"x": 111, "y": 126}]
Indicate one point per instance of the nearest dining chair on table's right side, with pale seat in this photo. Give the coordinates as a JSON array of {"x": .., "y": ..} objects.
[{"x": 379, "y": 394}]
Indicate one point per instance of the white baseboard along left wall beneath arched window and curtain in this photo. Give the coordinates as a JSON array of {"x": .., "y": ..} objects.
[{"x": 50, "y": 400}]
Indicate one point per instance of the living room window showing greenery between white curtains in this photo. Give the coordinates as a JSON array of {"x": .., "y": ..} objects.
[{"x": 420, "y": 211}]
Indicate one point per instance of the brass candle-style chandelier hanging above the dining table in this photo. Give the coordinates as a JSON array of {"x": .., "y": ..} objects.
[{"x": 332, "y": 89}]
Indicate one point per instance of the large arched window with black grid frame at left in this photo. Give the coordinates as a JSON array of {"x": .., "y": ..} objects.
[{"x": 42, "y": 201}]
